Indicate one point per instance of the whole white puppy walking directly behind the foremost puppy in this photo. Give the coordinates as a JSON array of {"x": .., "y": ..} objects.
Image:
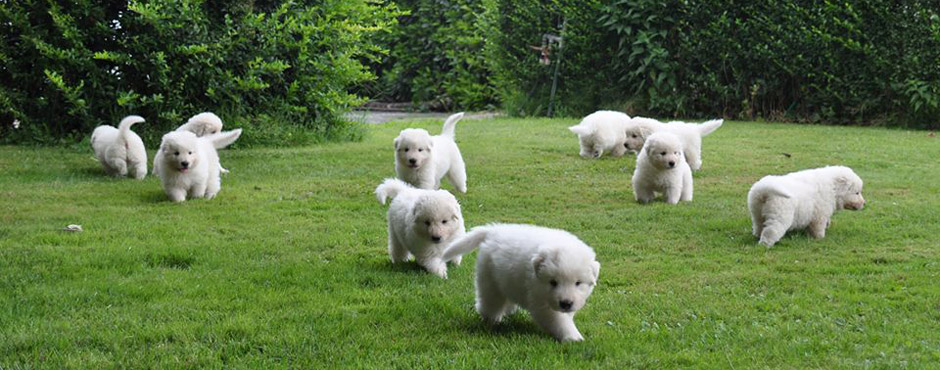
[{"x": 420, "y": 223}]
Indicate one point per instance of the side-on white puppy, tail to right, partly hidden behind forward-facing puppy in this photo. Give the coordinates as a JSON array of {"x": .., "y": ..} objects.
[{"x": 691, "y": 134}]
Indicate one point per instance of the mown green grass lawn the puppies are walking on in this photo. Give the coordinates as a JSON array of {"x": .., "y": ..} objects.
[{"x": 288, "y": 267}]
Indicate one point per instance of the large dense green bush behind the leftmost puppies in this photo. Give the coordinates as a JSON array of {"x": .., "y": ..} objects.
[{"x": 284, "y": 66}]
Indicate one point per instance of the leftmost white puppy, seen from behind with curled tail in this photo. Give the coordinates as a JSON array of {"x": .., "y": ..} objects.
[{"x": 120, "y": 149}]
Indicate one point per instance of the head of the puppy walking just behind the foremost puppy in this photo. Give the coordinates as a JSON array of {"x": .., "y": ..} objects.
[{"x": 437, "y": 217}]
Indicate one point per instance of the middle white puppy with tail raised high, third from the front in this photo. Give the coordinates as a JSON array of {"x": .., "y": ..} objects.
[{"x": 422, "y": 160}]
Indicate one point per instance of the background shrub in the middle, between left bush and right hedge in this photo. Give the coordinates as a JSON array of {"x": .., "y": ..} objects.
[{"x": 435, "y": 57}]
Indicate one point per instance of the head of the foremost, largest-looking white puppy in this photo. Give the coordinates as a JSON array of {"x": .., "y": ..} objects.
[{"x": 565, "y": 275}]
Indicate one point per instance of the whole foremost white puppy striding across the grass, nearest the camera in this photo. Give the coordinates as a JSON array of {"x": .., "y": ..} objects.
[{"x": 548, "y": 272}]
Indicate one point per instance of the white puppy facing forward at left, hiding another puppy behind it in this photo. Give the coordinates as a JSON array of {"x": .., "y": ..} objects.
[{"x": 189, "y": 165}]
